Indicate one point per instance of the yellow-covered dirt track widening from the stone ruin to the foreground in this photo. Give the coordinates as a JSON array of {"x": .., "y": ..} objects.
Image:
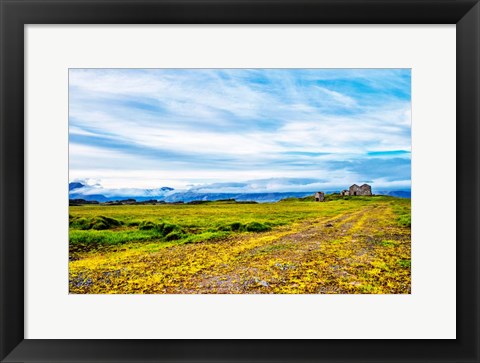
[{"x": 358, "y": 252}]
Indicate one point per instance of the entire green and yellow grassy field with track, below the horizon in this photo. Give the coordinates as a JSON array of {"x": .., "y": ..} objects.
[{"x": 343, "y": 245}]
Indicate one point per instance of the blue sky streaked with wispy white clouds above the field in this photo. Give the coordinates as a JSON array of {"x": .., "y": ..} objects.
[{"x": 240, "y": 130}]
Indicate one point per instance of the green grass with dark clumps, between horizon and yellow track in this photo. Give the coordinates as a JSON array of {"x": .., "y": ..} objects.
[{"x": 93, "y": 225}]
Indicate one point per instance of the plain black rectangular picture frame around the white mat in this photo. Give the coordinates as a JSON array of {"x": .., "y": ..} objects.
[{"x": 17, "y": 13}]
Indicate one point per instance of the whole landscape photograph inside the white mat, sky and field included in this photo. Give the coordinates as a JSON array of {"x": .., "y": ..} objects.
[{"x": 239, "y": 180}]
